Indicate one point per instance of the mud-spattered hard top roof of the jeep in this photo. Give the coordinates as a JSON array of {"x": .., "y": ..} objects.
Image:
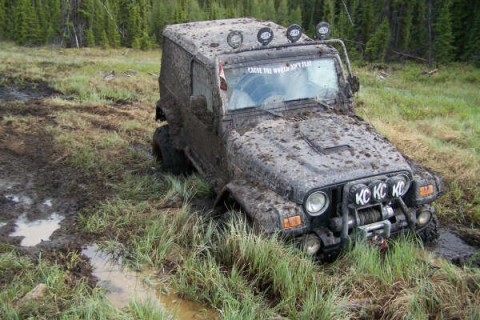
[{"x": 208, "y": 39}]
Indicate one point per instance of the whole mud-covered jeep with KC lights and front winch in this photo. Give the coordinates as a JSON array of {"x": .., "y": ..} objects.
[{"x": 265, "y": 114}]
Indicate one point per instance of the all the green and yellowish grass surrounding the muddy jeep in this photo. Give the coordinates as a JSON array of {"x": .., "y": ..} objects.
[{"x": 102, "y": 129}]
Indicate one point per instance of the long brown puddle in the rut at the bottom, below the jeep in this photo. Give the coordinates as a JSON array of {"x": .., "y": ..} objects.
[{"x": 123, "y": 285}]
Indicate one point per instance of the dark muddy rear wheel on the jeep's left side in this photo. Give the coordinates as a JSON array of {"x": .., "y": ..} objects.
[{"x": 173, "y": 160}]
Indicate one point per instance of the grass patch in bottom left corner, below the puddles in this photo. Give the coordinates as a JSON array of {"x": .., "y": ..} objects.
[{"x": 66, "y": 297}]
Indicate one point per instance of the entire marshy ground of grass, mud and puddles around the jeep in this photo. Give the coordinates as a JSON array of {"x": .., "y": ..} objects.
[{"x": 78, "y": 184}]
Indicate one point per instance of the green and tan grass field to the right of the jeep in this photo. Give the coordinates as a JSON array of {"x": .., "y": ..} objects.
[{"x": 434, "y": 120}]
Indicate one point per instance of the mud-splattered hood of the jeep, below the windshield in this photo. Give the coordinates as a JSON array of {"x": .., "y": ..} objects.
[{"x": 295, "y": 156}]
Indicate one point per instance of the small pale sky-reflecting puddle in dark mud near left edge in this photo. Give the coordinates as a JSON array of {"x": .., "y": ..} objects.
[{"x": 36, "y": 231}]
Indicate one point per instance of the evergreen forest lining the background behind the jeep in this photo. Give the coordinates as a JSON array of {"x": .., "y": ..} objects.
[{"x": 432, "y": 30}]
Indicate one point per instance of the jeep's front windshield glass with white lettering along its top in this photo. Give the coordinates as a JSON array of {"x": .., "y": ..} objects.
[{"x": 281, "y": 81}]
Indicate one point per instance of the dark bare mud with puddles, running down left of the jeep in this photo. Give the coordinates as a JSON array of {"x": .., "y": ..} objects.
[{"x": 40, "y": 199}]
